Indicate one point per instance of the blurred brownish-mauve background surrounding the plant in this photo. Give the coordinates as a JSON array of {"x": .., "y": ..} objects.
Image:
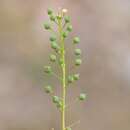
[{"x": 104, "y": 29}]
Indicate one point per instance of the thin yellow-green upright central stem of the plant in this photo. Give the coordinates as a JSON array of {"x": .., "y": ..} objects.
[{"x": 63, "y": 75}]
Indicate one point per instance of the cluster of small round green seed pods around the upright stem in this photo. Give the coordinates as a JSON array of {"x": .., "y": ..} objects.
[{"x": 63, "y": 23}]
